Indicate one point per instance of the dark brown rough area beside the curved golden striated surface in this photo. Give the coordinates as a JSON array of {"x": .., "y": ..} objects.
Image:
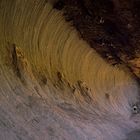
[{"x": 111, "y": 27}]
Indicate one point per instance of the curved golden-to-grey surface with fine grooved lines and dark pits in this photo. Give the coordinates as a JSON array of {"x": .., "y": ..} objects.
[{"x": 53, "y": 86}]
